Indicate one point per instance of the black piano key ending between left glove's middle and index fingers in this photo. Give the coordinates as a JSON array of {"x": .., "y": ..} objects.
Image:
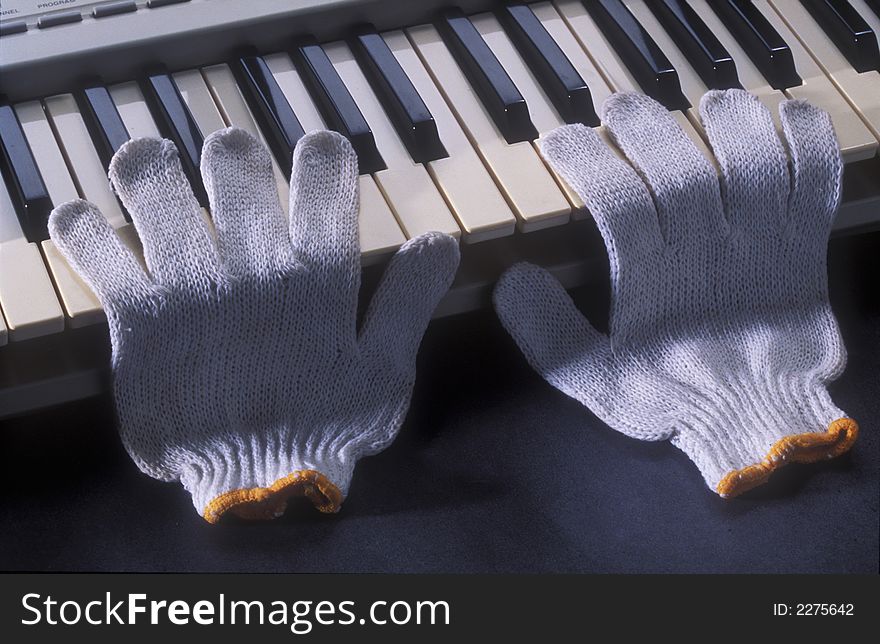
[{"x": 270, "y": 107}]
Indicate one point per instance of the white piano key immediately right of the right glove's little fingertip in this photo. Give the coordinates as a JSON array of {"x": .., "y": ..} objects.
[{"x": 856, "y": 140}]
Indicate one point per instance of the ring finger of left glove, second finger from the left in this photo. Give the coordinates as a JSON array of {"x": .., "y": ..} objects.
[{"x": 148, "y": 178}]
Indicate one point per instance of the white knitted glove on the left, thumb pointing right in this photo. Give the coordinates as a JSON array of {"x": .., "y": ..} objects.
[{"x": 237, "y": 365}]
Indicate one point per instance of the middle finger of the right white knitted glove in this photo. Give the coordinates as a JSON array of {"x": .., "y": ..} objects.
[{"x": 682, "y": 180}]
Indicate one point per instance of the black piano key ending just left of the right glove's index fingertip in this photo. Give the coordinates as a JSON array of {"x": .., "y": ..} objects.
[{"x": 496, "y": 90}]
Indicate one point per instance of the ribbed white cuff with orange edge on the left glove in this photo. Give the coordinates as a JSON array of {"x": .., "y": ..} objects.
[{"x": 256, "y": 481}]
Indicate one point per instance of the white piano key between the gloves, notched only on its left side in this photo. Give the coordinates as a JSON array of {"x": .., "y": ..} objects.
[{"x": 467, "y": 186}]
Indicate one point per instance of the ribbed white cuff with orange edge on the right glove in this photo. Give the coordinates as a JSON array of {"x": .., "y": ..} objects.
[{"x": 741, "y": 435}]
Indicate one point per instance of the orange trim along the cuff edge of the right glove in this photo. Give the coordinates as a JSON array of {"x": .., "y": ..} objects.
[{"x": 797, "y": 448}]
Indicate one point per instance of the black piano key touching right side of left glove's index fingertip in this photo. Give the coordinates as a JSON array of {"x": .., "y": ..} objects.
[{"x": 338, "y": 106}]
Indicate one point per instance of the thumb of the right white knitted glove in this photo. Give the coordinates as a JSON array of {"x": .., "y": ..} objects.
[{"x": 558, "y": 342}]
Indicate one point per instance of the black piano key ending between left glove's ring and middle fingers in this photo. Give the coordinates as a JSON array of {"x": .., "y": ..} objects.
[{"x": 176, "y": 123}]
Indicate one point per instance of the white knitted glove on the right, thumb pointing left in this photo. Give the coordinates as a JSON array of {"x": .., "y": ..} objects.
[{"x": 721, "y": 336}]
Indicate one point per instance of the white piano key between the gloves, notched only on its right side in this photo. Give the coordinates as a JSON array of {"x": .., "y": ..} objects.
[{"x": 526, "y": 182}]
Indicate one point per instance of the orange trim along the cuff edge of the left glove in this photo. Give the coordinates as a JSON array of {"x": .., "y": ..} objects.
[{"x": 266, "y": 503}]
